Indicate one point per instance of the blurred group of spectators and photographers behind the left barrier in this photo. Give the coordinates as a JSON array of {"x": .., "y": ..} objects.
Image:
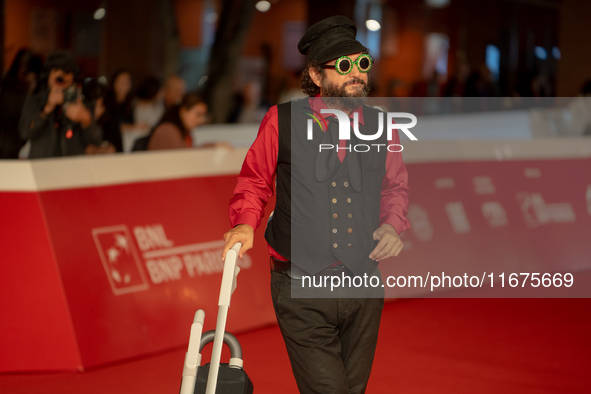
[{"x": 49, "y": 107}]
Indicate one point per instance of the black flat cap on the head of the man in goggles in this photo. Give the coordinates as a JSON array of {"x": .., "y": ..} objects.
[{"x": 329, "y": 39}]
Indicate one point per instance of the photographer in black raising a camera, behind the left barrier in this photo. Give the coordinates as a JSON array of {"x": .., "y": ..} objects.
[{"x": 54, "y": 118}]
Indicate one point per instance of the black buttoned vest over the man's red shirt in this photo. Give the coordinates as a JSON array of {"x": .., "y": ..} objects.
[{"x": 321, "y": 218}]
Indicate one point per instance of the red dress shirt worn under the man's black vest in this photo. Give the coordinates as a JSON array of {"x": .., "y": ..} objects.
[{"x": 256, "y": 179}]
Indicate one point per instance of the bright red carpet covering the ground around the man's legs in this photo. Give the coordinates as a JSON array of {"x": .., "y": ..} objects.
[{"x": 425, "y": 346}]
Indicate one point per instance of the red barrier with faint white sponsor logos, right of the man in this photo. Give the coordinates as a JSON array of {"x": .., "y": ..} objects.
[{"x": 497, "y": 217}]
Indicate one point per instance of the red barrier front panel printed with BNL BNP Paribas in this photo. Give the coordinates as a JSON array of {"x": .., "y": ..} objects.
[{"x": 173, "y": 234}]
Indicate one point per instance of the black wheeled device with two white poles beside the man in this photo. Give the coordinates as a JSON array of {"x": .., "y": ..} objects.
[{"x": 216, "y": 378}]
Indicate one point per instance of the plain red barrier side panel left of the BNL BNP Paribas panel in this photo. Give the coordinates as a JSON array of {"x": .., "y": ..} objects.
[{"x": 36, "y": 331}]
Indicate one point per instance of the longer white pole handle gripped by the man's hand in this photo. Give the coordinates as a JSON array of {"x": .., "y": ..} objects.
[{"x": 228, "y": 286}]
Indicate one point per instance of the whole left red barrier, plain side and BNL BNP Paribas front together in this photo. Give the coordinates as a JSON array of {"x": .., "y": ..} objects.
[{"x": 99, "y": 274}]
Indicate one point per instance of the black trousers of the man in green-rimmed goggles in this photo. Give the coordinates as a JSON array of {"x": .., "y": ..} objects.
[{"x": 330, "y": 341}]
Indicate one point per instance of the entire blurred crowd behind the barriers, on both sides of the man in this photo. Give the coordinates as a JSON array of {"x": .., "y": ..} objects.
[{"x": 47, "y": 109}]
